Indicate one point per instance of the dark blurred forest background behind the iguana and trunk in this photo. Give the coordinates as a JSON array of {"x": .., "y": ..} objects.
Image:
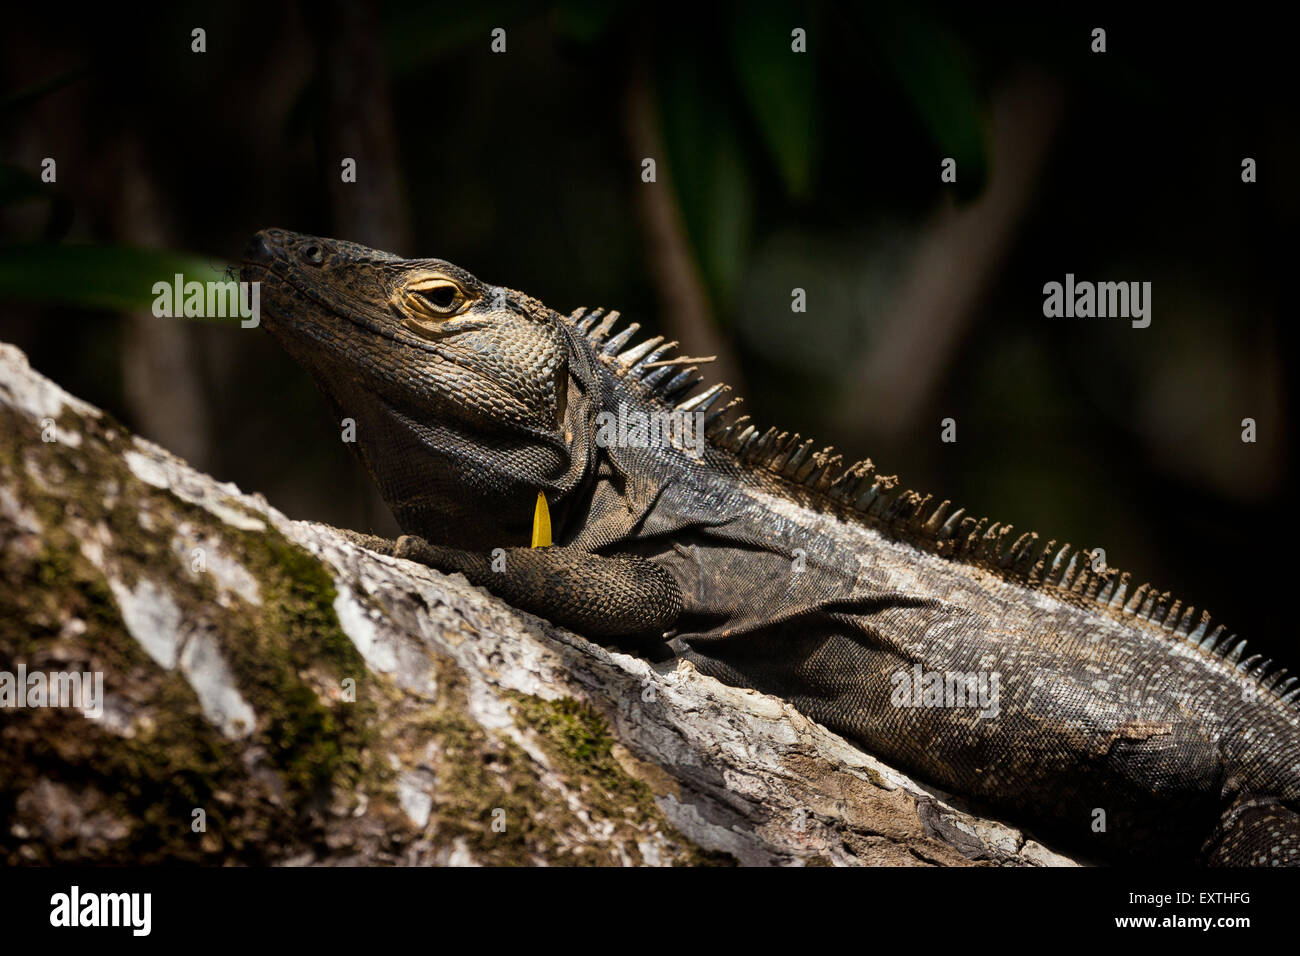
[{"x": 777, "y": 171}]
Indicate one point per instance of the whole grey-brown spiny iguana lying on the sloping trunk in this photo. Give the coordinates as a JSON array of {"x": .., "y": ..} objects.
[{"x": 774, "y": 568}]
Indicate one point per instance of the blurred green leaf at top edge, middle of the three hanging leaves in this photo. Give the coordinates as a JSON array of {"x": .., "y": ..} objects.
[{"x": 779, "y": 86}]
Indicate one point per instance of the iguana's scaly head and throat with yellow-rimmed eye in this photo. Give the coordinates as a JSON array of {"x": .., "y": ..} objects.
[{"x": 461, "y": 391}]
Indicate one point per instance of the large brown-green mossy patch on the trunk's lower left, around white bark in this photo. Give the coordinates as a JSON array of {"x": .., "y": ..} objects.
[{"x": 288, "y": 655}]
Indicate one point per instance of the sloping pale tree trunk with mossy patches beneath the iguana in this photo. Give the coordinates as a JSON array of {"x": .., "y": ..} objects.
[{"x": 274, "y": 694}]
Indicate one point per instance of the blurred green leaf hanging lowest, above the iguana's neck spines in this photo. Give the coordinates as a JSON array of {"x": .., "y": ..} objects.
[{"x": 708, "y": 166}]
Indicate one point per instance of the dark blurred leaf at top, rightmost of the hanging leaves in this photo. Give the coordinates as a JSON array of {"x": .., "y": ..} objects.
[{"x": 933, "y": 70}]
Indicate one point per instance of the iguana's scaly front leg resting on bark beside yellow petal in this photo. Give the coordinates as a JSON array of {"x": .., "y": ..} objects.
[{"x": 619, "y": 596}]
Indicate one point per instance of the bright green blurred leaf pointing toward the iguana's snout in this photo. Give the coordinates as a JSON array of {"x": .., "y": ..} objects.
[{"x": 115, "y": 278}]
